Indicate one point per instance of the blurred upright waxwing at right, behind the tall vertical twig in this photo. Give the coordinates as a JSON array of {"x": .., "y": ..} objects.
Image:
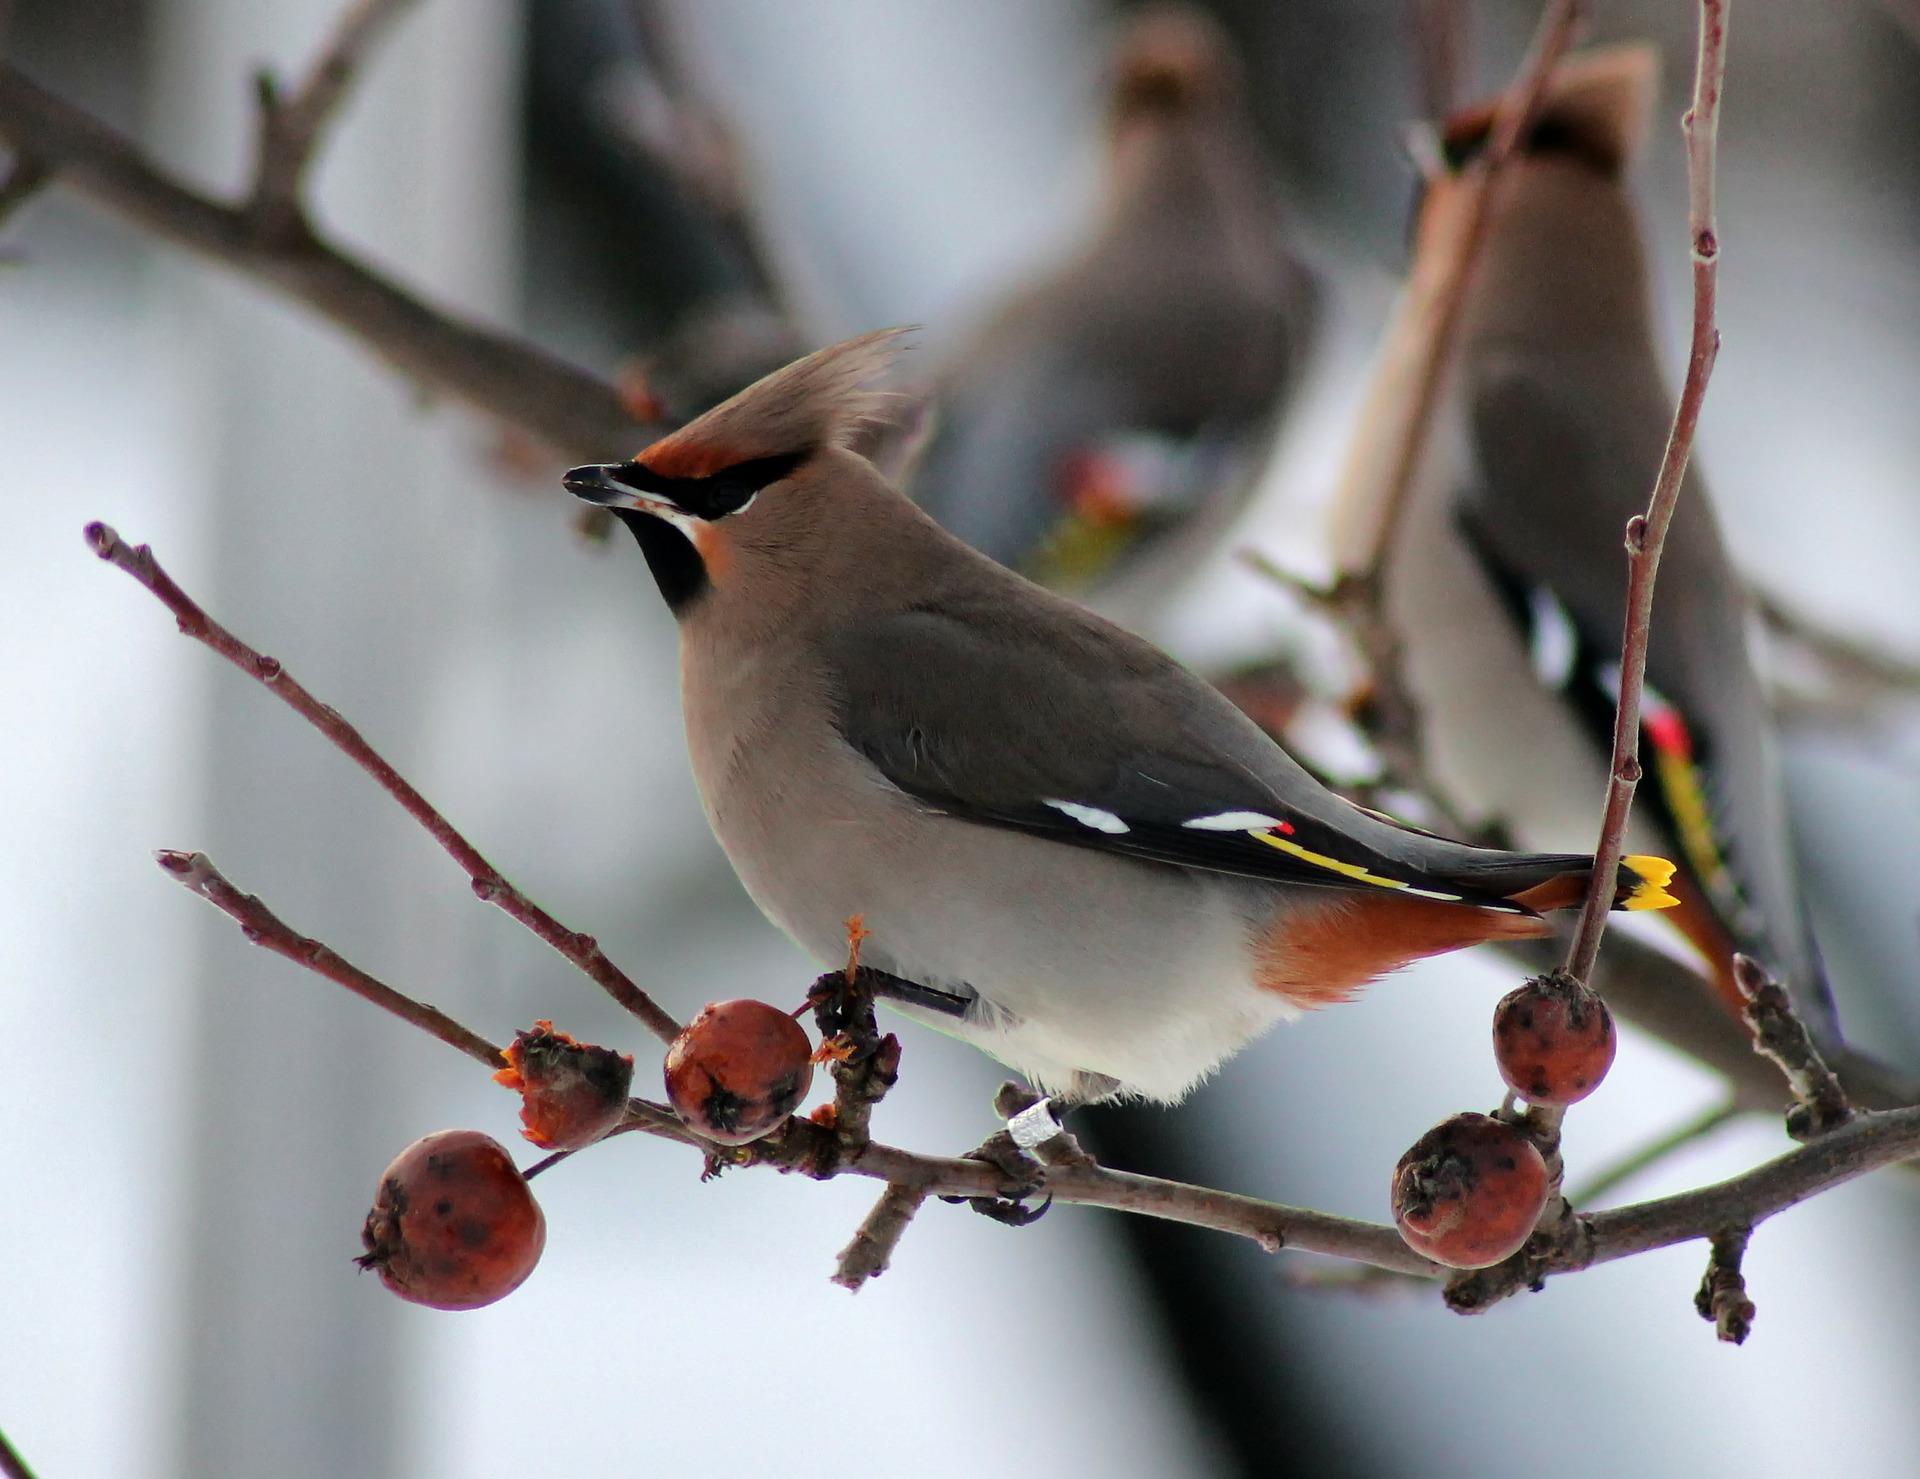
[{"x": 1502, "y": 571}]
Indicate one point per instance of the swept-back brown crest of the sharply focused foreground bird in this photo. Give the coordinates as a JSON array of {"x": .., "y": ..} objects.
[{"x": 815, "y": 402}]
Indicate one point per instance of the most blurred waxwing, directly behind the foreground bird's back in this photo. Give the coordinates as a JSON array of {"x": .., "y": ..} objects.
[{"x": 1111, "y": 406}]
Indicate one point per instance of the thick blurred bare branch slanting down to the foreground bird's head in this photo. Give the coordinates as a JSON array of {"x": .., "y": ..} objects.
[{"x": 500, "y": 376}]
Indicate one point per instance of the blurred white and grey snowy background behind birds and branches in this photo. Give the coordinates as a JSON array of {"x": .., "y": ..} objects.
[{"x": 197, "y": 1128}]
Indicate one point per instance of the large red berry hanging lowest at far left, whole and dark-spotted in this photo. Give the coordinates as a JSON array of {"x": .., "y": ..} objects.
[{"x": 454, "y": 1224}]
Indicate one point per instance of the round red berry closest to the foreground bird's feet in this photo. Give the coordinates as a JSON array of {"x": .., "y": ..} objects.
[{"x": 738, "y": 1071}]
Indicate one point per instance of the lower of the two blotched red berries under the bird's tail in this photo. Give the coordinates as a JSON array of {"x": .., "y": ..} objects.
[{"x": 1470, "y": 1192}]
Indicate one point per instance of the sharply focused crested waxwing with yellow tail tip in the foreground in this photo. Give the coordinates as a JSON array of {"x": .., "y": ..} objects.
[{"x": 1082, "y": 858}]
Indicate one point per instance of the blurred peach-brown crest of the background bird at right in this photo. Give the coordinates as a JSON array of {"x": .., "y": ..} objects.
[{"x": 1596, "y": 109}]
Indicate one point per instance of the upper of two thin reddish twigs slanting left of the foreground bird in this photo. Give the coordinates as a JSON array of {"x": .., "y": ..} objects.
[{"x": 489, "y": 883}]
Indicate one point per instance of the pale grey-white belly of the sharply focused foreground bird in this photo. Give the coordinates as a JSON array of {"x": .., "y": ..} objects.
[{"x": 1084, "y": 963}]
